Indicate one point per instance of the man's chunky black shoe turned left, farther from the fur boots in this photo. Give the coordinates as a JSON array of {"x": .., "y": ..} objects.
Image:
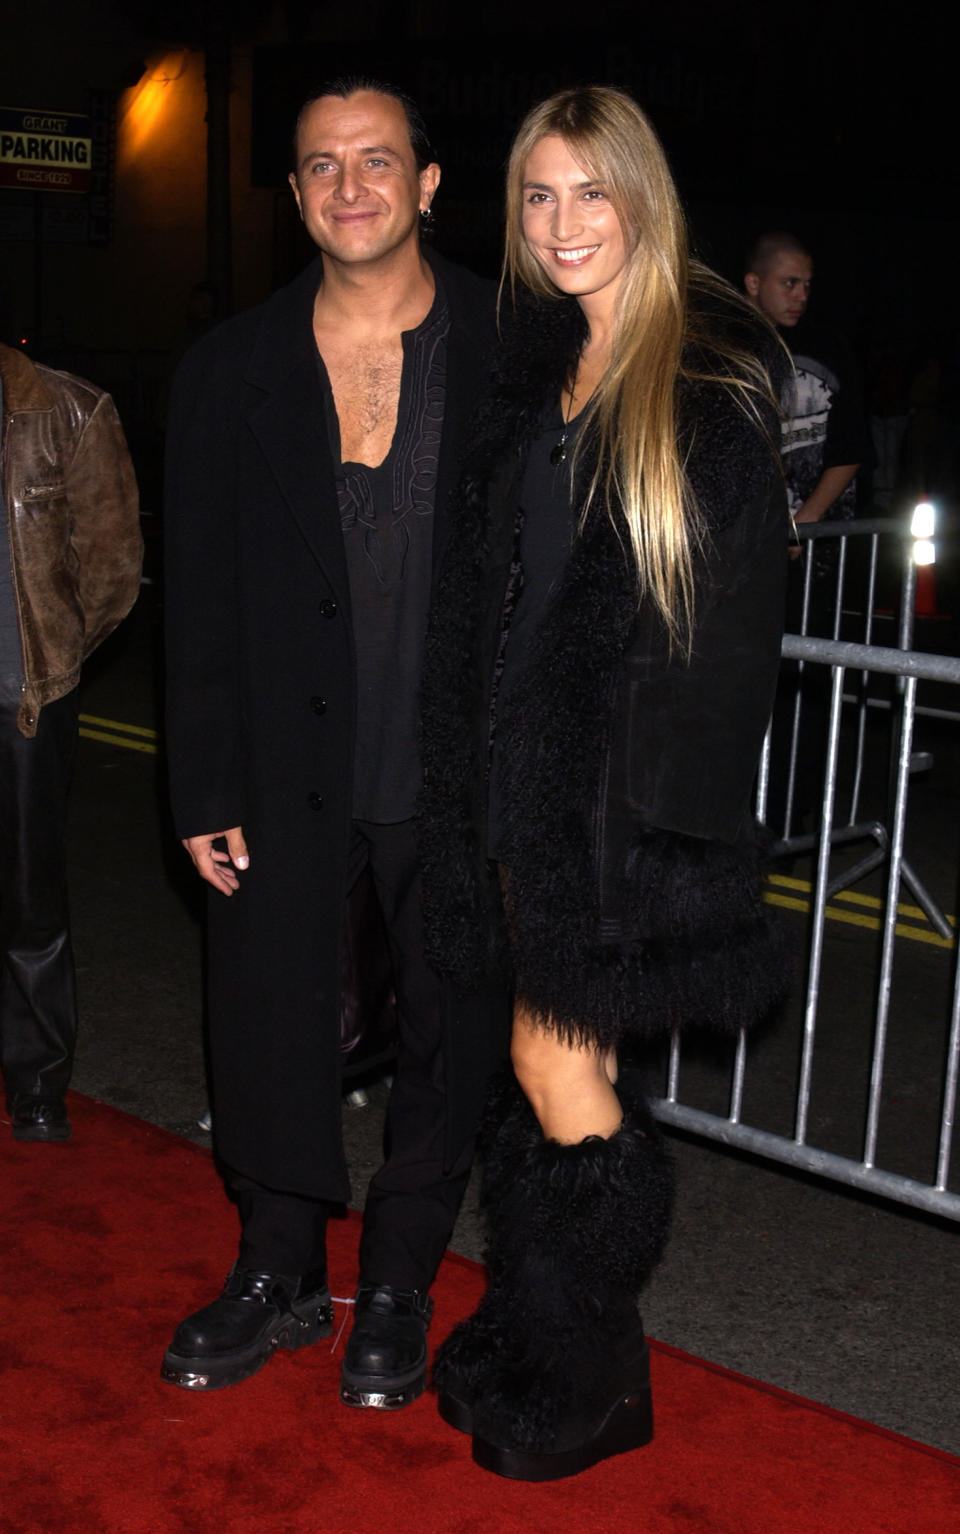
[{"x": 240, "y": 1332}]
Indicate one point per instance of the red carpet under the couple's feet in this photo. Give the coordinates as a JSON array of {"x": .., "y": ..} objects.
[{"x": 110, "y": 1240}]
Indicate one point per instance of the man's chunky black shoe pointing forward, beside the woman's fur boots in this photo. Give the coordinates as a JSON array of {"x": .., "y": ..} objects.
[{"x": 386, "y": 1361}]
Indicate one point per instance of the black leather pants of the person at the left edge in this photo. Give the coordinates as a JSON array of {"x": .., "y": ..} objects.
[{"x": 38, "y": 986}]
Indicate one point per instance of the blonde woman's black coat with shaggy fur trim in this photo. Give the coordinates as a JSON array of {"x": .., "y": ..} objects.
[{"x": 634, "y": 878}]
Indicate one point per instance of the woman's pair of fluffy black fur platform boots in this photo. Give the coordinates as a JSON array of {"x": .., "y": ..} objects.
[{"x": 553, "y": 1371}]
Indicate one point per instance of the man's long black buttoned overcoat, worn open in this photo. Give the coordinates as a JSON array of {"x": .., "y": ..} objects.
[{"x": 261, "y": 713}]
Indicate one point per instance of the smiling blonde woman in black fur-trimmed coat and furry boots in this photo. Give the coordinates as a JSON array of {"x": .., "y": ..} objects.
[{"x": 602, "y": 667}]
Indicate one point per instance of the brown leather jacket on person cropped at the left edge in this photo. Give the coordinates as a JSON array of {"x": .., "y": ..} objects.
[{"x": 73, "y": 518}]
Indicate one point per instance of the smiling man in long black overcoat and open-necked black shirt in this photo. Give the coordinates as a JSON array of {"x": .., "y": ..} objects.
[{"x": 314, "y": 444}]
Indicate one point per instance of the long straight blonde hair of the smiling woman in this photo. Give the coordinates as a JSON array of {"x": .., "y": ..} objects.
[{"x": 633, "y": 416}]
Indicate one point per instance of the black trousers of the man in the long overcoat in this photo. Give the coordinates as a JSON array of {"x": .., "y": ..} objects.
[{"x": 413, "y": 1202}]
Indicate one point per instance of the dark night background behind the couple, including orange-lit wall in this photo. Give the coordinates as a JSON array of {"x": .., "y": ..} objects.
[{"x": 833, "y": 122}]
